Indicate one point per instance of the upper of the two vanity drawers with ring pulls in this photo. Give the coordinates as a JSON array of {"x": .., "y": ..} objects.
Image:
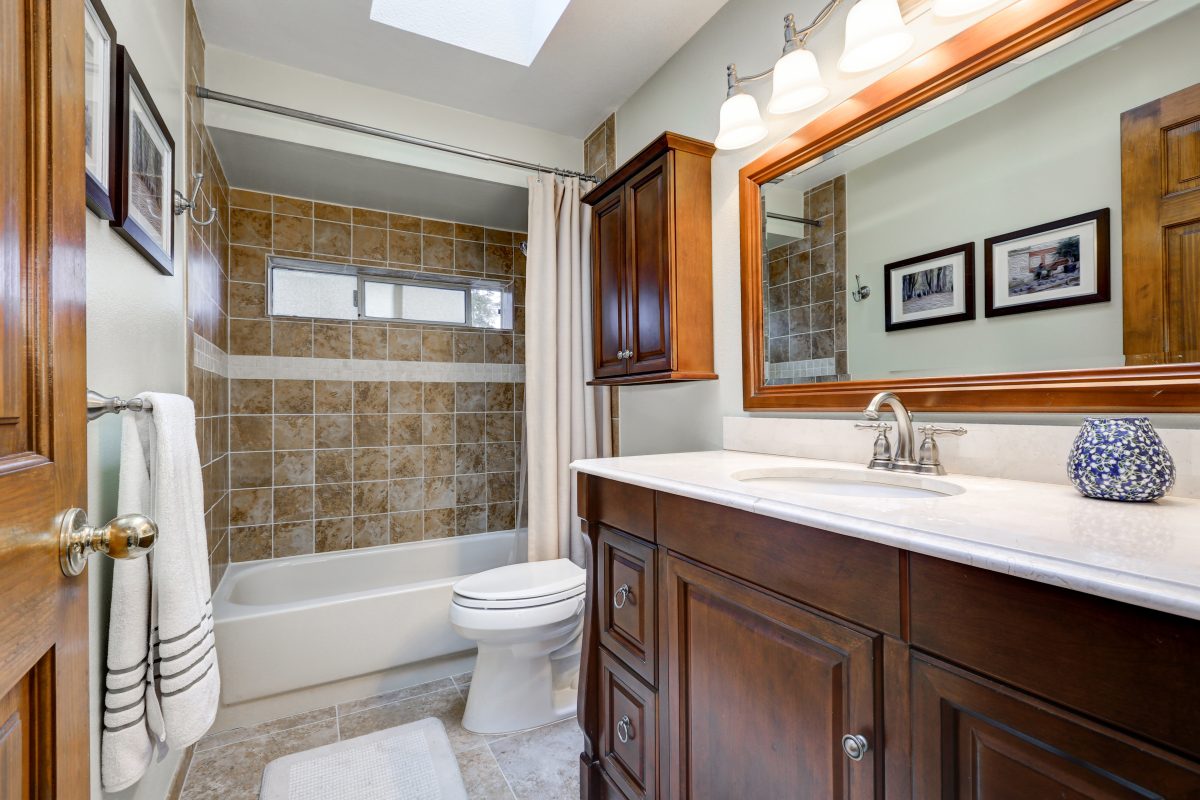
[{"x": 628, "y": 600}]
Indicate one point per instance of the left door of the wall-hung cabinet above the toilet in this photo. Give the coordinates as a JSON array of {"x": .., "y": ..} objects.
[{"x": 610, "y": 312}]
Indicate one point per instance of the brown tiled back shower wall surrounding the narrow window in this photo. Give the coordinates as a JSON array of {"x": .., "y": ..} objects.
[{"x": 357, "y": 435}]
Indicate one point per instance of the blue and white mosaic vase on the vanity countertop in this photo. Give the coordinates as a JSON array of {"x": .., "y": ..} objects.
[{"x": 1120, "y": 460}]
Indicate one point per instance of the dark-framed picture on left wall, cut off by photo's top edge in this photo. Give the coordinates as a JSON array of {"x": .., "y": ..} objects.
[{"x": 100, "y": 74}]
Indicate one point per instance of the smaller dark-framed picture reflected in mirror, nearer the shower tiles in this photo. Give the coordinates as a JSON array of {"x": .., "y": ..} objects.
[{"x": 931, "y": 290}]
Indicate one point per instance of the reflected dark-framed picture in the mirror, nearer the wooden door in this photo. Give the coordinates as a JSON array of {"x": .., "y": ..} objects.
[{"x": 1063, "y": 263}]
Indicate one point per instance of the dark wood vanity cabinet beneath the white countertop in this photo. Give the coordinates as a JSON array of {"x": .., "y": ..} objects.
[{"x": 733, "y": 657}]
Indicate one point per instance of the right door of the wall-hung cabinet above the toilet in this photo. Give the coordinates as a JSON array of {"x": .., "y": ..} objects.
[{"x": 649, "y": 196}]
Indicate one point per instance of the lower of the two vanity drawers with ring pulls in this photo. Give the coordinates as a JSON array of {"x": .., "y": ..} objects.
[{"x": 628, "y": 730}]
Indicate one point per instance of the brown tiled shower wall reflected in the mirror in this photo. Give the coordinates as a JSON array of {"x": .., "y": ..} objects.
[{"x": 805, "y": 286}]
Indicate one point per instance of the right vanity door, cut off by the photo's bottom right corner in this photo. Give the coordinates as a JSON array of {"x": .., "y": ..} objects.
[{"x": 977, "y": 739}]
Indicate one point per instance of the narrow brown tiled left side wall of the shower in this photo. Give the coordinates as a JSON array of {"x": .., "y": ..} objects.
[{"x": 208, "y": 250}]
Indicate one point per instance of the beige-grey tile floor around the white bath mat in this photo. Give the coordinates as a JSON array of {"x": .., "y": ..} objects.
[{"x": 541, "y": 765}]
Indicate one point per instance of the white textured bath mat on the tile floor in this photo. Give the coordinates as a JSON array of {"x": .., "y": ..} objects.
[{"x": 413, "y": 762}]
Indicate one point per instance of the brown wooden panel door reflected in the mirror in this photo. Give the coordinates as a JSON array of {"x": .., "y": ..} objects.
[{"x": 1161, "y": 215}]
